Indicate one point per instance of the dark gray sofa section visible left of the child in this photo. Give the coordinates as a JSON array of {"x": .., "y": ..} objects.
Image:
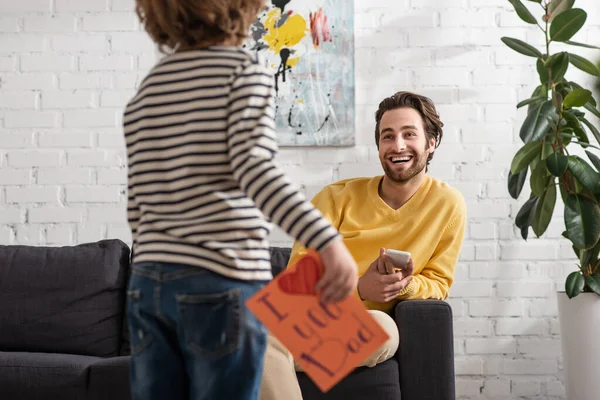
[{"x": 62, "y": 326}]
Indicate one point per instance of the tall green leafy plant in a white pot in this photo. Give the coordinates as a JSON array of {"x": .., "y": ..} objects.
[{"x": 560, "y": 154}]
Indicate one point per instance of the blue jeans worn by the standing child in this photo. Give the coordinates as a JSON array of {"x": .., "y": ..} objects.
[{"x": 192, "y": 336}]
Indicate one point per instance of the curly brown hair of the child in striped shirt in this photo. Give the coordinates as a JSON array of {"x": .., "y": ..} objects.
[{"x": 187, "y": 24}]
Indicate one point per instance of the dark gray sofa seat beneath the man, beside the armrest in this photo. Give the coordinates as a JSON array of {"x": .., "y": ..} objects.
[{"x": 380, "y": 382}]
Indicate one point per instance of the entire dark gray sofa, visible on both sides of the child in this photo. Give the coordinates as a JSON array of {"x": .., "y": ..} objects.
[{"x": 63, "y": 333}]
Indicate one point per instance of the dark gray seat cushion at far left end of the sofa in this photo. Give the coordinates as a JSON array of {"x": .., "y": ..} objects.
[{"x": 45, "y": 376}]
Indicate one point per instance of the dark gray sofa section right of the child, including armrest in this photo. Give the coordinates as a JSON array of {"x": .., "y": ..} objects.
[{"x": 423, "y": 368}]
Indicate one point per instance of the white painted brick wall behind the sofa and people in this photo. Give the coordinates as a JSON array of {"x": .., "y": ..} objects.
[{"x": 67, "y": 67}]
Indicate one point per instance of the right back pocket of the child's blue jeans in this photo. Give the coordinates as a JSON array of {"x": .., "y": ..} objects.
[{"x": 211, "y": 322}]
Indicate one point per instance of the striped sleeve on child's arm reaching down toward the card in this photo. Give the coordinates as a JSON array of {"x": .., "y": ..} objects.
[{"x": 252, "y": 148}]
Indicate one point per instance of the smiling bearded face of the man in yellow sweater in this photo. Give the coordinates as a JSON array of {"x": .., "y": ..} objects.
[{"x": 403, "y": 144}]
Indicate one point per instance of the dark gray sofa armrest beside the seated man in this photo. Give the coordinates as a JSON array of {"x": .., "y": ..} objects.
[{"x": 426, "y": 351}]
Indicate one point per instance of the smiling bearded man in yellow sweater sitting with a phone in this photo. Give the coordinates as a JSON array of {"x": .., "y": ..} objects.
[{"x": 404, "y": 209}]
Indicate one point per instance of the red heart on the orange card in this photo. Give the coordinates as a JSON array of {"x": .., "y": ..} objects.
[{"x": 303, "y": 278}]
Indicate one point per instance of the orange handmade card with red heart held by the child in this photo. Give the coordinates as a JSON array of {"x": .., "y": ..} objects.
[{"x": 328, "y": 341}]
